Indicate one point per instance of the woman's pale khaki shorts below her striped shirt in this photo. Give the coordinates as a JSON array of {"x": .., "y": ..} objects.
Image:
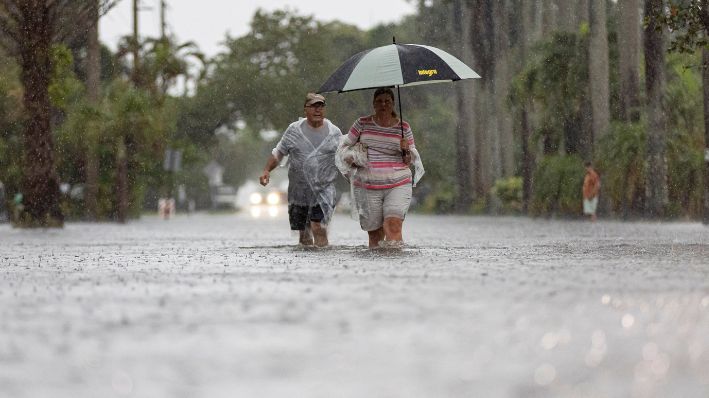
[{"x": 383, "y": 203}]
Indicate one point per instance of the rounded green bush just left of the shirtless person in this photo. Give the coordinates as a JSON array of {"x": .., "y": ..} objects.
[{"x": 557, "y": 186}]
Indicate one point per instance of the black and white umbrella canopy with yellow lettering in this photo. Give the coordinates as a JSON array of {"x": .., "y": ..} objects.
[{"x": 397, "y": 65}]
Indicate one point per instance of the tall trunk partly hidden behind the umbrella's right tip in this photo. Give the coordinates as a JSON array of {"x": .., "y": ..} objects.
[{"x": 464, "y": 129}]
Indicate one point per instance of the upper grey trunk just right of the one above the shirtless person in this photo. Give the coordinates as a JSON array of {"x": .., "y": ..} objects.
[{"x": 629, "y": 59}]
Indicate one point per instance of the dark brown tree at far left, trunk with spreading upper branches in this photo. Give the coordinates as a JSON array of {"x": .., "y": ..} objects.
[{"x": 28, "y": 30}]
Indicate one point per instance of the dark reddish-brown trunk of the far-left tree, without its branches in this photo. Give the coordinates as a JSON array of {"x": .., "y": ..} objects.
[{"x": 40, "y": 180}]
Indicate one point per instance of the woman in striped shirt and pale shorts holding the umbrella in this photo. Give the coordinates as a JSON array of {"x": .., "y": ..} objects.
[{"x": 382, "y": 185}]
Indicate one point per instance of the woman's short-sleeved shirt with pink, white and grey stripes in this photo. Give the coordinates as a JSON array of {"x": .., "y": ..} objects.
[{"x": 386, "y": 165}]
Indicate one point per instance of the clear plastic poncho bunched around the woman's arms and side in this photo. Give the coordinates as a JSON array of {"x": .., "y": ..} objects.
[{"x": 360, "y": 163}]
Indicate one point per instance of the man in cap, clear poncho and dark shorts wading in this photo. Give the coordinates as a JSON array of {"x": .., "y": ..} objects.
[{"x": 310, "y": 143}]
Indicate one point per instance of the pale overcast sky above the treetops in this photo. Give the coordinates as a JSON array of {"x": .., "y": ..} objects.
[{"x": 206, "y": 22}]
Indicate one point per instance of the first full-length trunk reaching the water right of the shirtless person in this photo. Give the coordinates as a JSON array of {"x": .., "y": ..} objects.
[{"x": 656, "y": 173}]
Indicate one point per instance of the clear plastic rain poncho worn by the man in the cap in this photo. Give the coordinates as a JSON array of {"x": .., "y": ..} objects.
[{"x": 311, "y": 170}]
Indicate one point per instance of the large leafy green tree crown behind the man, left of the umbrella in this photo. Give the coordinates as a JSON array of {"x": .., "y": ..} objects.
[{"x": 263, "y": 78}]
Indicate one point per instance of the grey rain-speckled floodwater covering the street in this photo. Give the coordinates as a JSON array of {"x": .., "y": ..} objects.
[{"x": 226, "y": 306}]
